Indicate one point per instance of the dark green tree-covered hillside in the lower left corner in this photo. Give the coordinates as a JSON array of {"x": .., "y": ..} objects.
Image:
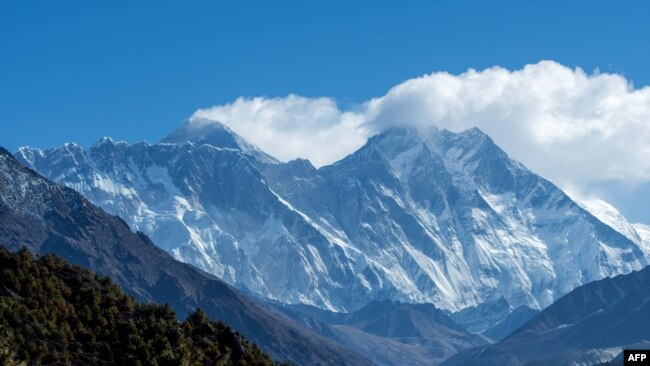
[{"x": 52, "y": 313}]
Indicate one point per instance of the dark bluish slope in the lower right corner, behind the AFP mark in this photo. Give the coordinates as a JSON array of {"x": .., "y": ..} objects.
[{"x": 589, "y": 325}]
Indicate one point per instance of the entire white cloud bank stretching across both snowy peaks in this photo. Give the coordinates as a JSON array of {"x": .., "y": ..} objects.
[{"x": 569, "y": 126}]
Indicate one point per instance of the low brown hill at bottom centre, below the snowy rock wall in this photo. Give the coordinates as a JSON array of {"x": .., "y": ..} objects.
[{"x": 392, "y": 334}]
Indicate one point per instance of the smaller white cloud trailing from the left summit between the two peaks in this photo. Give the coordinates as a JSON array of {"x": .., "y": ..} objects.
[{"x": 293, "y": 126}]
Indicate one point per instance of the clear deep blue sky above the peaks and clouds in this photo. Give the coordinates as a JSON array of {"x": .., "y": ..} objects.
[{"x": 134, "y": 70}]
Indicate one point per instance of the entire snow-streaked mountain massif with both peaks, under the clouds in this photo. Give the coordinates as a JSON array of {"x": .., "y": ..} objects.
[{"x": 420, "y": 216}]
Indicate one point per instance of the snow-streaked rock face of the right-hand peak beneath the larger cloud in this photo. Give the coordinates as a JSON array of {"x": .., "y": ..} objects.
[{"x": 450, "y": 219}]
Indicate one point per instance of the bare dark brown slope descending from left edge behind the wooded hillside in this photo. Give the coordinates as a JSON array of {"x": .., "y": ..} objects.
[{"x": 50, "y": 219}]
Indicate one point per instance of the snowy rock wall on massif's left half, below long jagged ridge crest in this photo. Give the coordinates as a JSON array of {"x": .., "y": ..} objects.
[{"x": 209, "y": 207}]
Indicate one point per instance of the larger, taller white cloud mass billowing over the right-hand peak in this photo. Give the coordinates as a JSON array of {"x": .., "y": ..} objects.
[{"x": 562, "y": 123}]
